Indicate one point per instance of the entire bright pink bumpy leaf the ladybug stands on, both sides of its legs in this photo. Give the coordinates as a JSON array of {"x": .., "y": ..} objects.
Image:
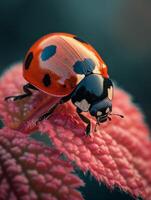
[{"x": 118, "y": 154}]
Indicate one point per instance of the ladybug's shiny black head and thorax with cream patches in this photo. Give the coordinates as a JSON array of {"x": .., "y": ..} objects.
[{"x": 94, "y": 94}]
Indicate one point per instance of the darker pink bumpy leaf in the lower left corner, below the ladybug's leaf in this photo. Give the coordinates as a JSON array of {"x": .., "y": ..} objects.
[{"x": 30, "y": 171}]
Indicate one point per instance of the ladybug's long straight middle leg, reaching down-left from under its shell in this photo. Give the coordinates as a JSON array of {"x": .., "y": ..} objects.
[{"x": 51, "y": 110}]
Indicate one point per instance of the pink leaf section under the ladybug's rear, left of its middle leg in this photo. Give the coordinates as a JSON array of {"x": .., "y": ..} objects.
[{"x": 23, "y": 114}]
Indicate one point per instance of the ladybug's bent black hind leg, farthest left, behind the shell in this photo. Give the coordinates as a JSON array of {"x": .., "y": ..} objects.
[{"x": 26, "y": 89}]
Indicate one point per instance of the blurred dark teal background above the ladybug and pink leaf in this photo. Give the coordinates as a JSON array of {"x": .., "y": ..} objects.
[{"x": 120, "y": 30}]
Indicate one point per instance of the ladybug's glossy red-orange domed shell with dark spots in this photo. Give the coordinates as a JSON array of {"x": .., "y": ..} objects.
[{"x": 55, "y": 61}]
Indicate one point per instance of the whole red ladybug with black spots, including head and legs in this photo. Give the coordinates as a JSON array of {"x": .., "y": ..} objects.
[{"x": 65, "y": 66}]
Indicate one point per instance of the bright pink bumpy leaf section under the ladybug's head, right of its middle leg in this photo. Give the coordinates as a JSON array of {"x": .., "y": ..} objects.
[{"x": 118, "y": 154}]
